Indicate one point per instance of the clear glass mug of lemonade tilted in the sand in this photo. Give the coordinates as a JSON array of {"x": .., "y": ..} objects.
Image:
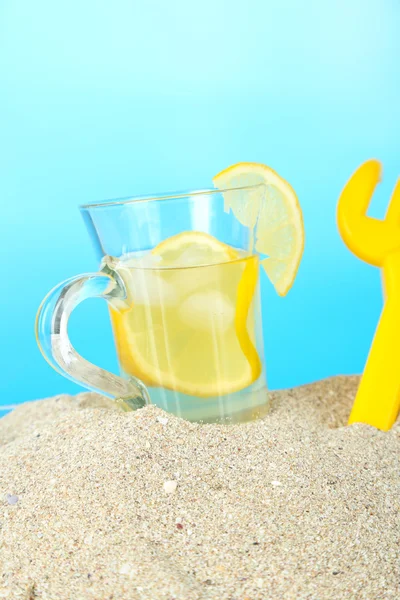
[{"x": 181, "y": 278}]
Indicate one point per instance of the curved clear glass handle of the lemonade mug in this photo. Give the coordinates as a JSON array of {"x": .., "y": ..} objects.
[{"x": 52, "y": 337}]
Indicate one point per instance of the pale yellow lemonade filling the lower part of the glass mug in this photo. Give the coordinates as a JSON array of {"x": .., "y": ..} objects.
[{"x": 193, "y": 335}]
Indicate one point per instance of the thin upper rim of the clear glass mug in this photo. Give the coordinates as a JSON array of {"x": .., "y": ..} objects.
[{"x": 167, "y": 196}]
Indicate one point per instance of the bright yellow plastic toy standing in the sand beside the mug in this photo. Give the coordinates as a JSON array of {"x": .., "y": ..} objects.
[{"x": 377, "y": 242}]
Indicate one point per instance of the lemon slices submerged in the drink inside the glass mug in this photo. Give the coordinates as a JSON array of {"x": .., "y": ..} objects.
[{"x": 186, "y": 327}]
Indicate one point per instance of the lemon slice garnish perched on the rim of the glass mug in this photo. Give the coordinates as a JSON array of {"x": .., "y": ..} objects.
[{"x": 277, "y": 218}]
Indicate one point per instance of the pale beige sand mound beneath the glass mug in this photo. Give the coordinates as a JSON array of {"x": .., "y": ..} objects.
[{"x": 99, "y": 504}]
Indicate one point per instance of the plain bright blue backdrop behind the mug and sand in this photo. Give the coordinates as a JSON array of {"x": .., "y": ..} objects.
[{"x": 103, "y": 99}]
